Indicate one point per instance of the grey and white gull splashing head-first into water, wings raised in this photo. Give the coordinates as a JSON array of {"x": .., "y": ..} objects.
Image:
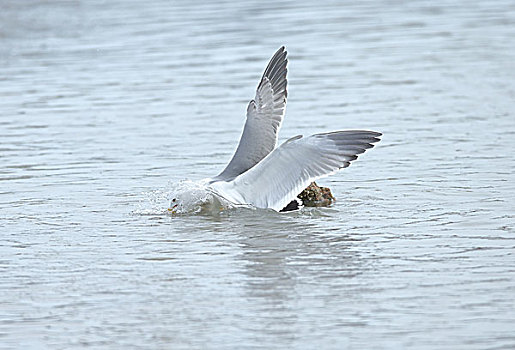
[{"x": 262, "y": 175}]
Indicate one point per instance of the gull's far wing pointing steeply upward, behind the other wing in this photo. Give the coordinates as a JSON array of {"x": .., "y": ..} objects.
[{"x": 264, "y": 117}]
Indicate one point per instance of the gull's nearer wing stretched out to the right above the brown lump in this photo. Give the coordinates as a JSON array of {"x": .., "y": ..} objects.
[{"x": 285, "y": 172}]
